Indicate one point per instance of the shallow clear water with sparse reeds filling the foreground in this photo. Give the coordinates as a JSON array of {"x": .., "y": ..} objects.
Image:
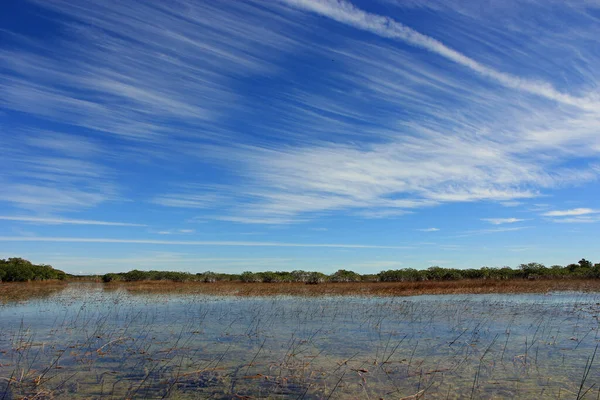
[{"x": 90, "y": 343}]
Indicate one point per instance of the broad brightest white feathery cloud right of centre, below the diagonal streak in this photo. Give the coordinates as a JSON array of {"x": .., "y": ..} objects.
[{"x": 396, "y": 177}]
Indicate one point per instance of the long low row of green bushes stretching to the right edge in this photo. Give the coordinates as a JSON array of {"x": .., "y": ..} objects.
[{"x": 582, "y": 269}]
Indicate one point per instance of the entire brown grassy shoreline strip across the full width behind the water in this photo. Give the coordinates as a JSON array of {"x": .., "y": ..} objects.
[{"x": 20, "y": 291}]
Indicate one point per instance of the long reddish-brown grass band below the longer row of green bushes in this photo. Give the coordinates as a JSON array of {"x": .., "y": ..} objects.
[{"x": 361, "y": 288}]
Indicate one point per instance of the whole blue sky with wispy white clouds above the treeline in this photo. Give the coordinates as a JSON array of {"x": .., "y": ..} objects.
[{"x": 320, "y": 135}]
